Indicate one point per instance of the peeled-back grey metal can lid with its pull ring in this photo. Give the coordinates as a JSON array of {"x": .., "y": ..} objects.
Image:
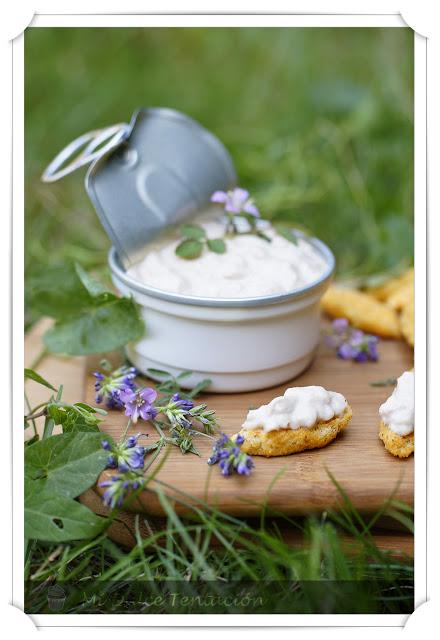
[{"x": 147, "y": 175}]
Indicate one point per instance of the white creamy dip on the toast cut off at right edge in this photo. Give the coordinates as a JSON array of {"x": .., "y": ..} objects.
[{"x": 397, "y": 412}]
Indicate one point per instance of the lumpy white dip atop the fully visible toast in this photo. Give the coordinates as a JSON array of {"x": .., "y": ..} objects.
[{"x": 299, "y": 407}]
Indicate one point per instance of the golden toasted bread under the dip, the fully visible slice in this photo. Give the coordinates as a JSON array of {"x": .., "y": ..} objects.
[{"x": 283, "y": 442}]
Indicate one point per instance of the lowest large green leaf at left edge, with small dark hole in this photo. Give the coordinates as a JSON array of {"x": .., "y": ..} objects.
[{"x": 55, "y": 518}]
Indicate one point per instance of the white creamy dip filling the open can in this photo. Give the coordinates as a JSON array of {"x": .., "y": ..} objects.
[{"x": 250, "y": 267}]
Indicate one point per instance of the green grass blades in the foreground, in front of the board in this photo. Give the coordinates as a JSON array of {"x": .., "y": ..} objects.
[{"x": 212, "y": 554}]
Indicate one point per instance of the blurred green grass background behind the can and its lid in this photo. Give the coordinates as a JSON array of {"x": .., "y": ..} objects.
[{"x": 319, "y": 122}]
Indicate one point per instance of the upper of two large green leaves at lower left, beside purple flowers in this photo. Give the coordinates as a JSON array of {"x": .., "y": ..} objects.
[{"x": 66, "y": 464}]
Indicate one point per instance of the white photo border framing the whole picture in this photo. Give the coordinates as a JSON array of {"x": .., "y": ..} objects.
[{"x": 208, "y": 20}]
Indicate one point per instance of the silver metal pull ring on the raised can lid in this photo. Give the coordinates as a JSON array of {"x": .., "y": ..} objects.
[{"x": 89, "y": 143}]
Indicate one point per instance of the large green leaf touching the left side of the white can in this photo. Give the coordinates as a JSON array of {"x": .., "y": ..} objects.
[{"x": 98, "y": 329}]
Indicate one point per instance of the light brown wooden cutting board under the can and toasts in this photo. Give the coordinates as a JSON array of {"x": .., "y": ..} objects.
[{"x": 296, "y": 484}]
